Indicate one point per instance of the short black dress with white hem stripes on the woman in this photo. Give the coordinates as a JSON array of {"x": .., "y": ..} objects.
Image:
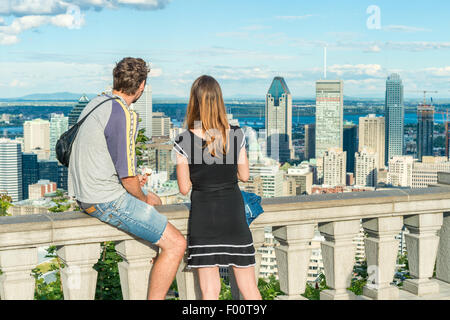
[{"x": 218, "y": 234}]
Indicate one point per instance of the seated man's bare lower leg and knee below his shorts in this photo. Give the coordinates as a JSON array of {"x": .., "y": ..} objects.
[{"x": 173, "y": 246}]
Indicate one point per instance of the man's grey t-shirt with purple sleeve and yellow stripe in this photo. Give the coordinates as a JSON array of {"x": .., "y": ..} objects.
[{"x": 103, "y": 151}]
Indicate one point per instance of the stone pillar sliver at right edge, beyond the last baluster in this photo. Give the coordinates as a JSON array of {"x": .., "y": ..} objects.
[{"x": 443, "y": 258}]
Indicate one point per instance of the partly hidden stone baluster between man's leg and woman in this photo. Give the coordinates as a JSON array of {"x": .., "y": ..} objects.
[{"x": 188, "y": 283}]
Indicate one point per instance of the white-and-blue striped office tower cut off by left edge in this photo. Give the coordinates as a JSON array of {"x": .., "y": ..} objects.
[{"x": 11, "y": 169}]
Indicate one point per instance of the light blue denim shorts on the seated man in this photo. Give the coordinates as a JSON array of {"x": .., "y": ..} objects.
[{"x": 132, "y": 215}]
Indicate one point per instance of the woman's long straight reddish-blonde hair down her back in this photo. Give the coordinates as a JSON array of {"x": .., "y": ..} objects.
[{"x": 206, "y": 105}]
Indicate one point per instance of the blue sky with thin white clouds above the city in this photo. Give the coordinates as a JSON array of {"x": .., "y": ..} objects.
[{"x": 51, "y": 46}]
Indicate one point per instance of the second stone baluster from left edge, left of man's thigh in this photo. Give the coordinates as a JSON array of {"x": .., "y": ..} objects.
[{"x": 78, "y": 278}]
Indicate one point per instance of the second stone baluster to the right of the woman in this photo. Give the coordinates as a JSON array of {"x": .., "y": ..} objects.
[{"x": 338, "y": 253}]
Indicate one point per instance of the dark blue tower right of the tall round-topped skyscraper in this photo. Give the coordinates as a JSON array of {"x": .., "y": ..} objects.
[{"x": 425, "y": 126}]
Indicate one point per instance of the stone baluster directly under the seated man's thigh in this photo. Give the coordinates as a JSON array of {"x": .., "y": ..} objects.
[{"x": 135, "y": 268}]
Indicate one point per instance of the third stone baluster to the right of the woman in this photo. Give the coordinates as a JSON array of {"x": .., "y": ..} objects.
[{"x": 381, "y": 254}]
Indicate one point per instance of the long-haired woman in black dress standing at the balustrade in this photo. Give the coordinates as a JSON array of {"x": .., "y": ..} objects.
[{"x": 211, "y": 157}]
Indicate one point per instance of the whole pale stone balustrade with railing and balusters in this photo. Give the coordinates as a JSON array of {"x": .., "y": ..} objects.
[{"x": 424, "y": 212}]
